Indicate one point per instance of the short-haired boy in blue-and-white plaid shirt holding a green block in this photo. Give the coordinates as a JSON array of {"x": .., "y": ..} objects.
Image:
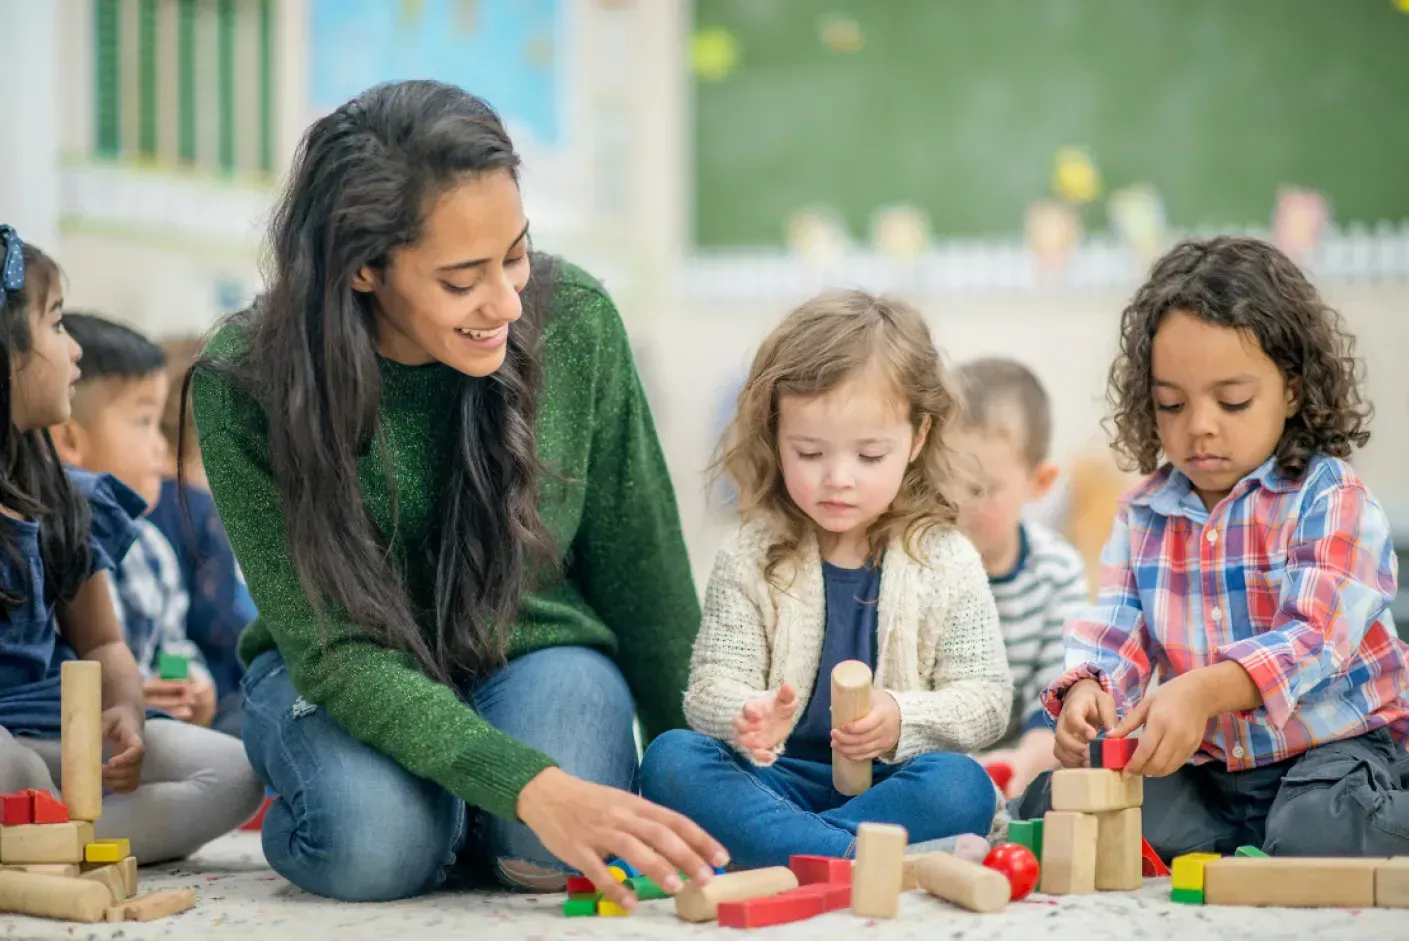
[{"x": 115, "y": 429}]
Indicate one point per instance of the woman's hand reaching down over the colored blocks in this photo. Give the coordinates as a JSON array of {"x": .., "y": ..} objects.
[{"x": 583, "y": 825}]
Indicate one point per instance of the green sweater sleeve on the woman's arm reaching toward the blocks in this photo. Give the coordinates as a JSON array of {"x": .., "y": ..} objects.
[{"x": 377, "y": 695}]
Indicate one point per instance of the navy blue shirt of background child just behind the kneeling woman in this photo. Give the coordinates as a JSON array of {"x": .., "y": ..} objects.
[{"x": 221, "y": 604}]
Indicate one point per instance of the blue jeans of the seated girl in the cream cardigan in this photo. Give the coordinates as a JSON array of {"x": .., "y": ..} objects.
[{"x": 766, "y": 815}]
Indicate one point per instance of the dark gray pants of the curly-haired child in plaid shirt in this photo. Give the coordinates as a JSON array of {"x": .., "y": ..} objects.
[{"x": 1343, "y": 799}]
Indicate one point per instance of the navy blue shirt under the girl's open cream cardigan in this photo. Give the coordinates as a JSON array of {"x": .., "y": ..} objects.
[{"x": 850, "y": 636}]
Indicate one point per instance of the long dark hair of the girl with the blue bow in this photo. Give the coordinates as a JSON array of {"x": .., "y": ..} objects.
[{"x": 35, "y": 484}]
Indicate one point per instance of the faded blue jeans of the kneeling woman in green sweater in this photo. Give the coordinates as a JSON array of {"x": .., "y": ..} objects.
[{"x": 350, "y": 823}]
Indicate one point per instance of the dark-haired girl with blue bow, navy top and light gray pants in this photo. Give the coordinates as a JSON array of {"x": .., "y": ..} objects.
[{"x": 174, "y": 787}]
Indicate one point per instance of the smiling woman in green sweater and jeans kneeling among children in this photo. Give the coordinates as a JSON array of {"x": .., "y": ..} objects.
[{"x": 368, "y": 430}]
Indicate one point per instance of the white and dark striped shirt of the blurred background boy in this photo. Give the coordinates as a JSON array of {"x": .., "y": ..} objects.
[{"x": 1046, "y": 590}]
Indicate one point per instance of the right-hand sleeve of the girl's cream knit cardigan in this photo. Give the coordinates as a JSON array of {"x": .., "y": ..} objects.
[{"x": 970, "y": 692}]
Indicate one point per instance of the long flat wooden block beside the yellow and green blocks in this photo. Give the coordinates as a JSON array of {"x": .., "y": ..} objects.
[{"x": 1291, "y": 883}]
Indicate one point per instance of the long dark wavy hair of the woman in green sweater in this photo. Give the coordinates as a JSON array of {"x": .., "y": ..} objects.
[{"x": 360, "y": 188}]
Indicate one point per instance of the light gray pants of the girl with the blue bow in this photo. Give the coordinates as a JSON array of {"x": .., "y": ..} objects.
[{"x": 197, "y": 785}]
